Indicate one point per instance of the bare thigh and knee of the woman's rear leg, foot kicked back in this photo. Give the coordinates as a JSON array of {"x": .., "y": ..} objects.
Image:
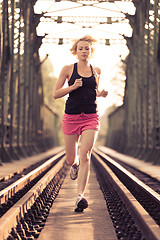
[{"x": 71, "y": 144}]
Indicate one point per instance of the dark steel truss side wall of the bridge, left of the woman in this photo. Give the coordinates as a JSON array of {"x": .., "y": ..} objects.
[{"x": 22, "y": 126}]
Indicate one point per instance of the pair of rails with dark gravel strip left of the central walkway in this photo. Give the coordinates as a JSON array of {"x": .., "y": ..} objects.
[{"x": 25, "y": 203}]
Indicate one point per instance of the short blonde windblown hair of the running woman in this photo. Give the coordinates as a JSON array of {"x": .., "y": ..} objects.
[{"x": 86, "y": 38}]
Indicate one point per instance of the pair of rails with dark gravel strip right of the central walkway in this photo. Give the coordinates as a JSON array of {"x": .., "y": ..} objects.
[{"x": 134, "y": 207}]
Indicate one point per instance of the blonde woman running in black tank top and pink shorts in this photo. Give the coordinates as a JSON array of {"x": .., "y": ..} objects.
[{"x": 81, "y": 116}]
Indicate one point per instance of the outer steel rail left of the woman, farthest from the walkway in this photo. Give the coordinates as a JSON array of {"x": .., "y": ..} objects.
[{"x": 10, "y": 191}]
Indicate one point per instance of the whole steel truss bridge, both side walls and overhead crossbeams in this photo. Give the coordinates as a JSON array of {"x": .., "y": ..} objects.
[{"x": 23, "y": 128}]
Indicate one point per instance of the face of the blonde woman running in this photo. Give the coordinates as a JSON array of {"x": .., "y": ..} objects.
[{"x": 83, "y": 50}]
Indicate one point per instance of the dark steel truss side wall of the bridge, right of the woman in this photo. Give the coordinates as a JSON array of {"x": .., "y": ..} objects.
[{"x": 141, "y": 119}]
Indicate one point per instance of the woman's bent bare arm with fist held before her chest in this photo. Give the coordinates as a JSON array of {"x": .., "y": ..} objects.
[{"x": 59, "y": 91}]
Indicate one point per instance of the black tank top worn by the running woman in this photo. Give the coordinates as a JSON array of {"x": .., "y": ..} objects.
[{"x": 83, "y": 99}]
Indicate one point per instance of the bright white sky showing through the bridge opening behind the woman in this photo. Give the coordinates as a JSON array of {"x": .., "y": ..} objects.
[{"x": 105, "y": 57}]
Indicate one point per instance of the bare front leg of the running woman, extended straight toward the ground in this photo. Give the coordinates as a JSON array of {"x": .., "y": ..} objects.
[{"x": 88, "y": 138}]
